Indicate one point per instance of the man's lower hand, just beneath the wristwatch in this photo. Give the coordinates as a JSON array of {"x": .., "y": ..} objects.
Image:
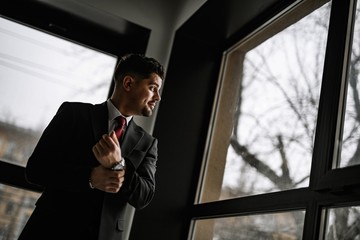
[{"x": 107, "y": 180}]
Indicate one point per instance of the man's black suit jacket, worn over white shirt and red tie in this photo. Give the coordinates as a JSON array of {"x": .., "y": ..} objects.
[{"x": 62, "y": 162}]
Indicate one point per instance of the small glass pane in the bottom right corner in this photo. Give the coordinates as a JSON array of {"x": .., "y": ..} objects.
[{"x": 343, "y": 223}]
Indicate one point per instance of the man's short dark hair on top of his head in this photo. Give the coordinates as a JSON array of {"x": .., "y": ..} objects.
[{"x": 139, "y": 65}]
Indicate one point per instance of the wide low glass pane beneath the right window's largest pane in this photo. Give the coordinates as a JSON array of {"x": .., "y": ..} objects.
[{"x": 287, "y": 225}]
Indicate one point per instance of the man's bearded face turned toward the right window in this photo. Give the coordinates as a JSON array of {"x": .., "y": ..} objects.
[{"x": 145, "y": 94}]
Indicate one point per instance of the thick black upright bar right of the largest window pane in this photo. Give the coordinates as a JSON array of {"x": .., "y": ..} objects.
[{"x": 332, "y": 92}]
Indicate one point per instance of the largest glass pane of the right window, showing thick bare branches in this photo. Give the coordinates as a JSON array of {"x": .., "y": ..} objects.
[{"x": 272, "y": 140}]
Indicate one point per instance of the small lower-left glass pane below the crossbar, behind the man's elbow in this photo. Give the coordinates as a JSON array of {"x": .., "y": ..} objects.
[{"x": 16, "y": 206}]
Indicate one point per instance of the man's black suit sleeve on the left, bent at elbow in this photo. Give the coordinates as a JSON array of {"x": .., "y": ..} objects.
[{"x": 52, "y": 165}]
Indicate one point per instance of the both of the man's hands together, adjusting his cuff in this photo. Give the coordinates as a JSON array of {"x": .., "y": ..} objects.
[{"x": 108, "y": 152}]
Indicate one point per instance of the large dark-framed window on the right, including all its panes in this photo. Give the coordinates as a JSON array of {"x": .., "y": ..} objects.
[{"x": 277, "y": 128}]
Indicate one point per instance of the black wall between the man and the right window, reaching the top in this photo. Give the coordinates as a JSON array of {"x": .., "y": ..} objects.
[{"x": 185, "y": 110}]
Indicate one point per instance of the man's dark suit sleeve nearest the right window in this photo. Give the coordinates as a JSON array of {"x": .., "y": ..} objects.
[{"x": 140, "y": 181}]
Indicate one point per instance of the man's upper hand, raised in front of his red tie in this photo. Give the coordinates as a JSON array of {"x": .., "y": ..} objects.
[{"x": 107, "y": 150}]
